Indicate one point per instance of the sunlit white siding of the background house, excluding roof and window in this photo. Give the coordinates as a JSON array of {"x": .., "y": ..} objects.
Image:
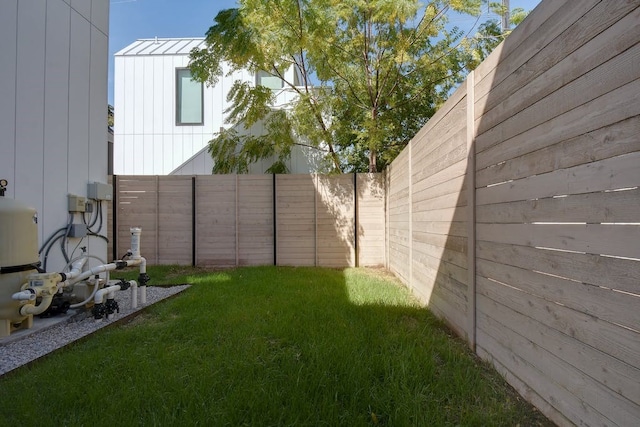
[{"x": 146, "y": 138}]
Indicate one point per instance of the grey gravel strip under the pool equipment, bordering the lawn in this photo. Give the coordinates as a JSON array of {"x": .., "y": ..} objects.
[{"x": 39, "y": 343}]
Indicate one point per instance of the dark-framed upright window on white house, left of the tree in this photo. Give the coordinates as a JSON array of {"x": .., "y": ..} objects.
[{"x": 189, "y": 99}]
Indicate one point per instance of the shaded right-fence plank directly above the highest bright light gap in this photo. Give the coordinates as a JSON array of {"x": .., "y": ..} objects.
[{"x": 609, "y": 174}]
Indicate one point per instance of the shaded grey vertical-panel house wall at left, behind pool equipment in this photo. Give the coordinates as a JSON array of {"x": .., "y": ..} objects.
[{"x": 53, "y": 103}]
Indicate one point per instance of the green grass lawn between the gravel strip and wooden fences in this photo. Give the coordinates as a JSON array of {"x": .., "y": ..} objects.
[{"x": 267, "y": 346}]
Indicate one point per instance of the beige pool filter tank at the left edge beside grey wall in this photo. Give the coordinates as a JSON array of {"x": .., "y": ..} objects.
[{"x": 18, "y": 259}]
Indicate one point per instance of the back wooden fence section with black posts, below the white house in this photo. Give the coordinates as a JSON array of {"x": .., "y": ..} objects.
[{"x": 229, "y": 220}]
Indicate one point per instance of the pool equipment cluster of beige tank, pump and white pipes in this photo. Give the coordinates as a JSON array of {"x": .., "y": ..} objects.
[{"x": 26, "y": 290}]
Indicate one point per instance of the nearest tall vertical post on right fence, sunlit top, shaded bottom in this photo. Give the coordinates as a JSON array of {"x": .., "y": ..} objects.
[{"x": 471, "y": 213}]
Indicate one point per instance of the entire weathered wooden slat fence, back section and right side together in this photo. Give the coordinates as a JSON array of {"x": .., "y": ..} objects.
[{"x": 514, "y": 214}]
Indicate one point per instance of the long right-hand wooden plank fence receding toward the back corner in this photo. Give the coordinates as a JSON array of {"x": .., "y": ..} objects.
[{"x": 515, "y": 213}]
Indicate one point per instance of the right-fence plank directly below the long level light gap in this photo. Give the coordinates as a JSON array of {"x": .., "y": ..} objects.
[{"x": 612, "y": 240}]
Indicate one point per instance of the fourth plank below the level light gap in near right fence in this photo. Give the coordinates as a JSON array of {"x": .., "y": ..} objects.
[{"x": 619, "y": 342}]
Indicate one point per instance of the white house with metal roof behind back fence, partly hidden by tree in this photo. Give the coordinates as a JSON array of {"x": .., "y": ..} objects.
[{"x": 164, "y": 120}]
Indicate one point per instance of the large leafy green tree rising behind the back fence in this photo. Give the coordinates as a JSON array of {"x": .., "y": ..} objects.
[{"x": 369, "y": 73}]
